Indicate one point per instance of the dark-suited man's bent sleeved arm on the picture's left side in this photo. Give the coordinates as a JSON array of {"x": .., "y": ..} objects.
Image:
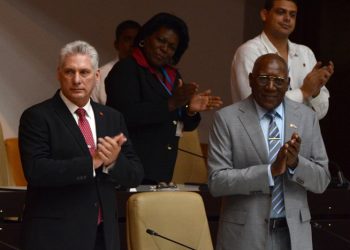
[{"x": 39, "y": 162}]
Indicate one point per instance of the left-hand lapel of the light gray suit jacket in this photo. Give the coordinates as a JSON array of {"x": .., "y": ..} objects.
[{"x": 250, "y": 122}]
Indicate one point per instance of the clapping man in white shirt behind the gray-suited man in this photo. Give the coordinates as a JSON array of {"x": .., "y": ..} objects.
[{"x": 308, "y": 77}]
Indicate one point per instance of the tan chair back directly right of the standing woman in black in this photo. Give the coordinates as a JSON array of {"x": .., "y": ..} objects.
[{"x": 190, "y": 168}]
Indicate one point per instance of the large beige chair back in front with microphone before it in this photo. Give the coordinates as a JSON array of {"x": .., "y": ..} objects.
[{"x": 177, "y": 215}]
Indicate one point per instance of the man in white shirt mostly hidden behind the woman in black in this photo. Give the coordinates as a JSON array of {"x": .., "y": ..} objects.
[{"x": 125, "y": 34}]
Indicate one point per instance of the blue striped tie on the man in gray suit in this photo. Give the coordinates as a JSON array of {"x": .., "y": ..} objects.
[{"x": 274, "y": 140}]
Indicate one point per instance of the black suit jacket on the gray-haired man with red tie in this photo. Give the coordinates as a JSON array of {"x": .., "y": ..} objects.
[{"x": 63, "y": 196}]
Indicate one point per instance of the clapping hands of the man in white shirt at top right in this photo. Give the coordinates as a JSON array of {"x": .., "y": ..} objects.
[{"x": 316, "y": 79}]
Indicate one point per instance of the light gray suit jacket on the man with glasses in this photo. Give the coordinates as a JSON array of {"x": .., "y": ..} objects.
[{"x": 238, "y": 165}]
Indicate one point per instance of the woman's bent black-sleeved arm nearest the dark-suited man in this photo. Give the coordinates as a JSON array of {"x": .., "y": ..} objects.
[{"x": 136, "y": 93}]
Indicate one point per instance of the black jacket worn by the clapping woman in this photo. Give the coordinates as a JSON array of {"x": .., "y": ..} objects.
[{"x": 138, "y": 94}]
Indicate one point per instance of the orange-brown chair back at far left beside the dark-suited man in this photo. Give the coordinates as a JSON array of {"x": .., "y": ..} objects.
[{"x": 14, "y": 161}]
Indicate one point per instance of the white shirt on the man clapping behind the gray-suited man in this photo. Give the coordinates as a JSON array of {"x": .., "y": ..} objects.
[{"x": 301, "y": 61}]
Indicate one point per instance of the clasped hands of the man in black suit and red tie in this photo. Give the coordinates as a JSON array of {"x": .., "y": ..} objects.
[{"x": 108, "y": 150}]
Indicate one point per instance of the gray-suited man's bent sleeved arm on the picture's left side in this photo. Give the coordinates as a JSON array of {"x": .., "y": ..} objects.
[{"x": 224, "y": 178}]
